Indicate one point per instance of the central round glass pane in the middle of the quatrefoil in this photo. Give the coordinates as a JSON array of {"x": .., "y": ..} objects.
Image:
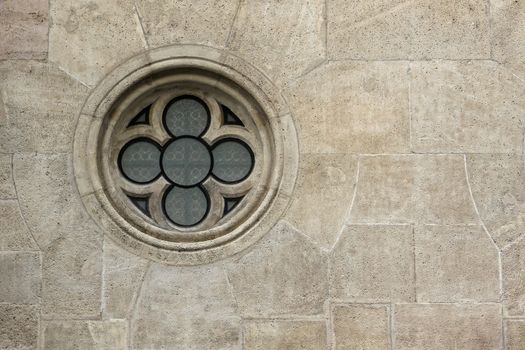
[{"x": 186, "y": 161}]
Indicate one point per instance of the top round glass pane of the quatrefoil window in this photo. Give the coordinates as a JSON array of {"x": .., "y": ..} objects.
[{"x": 186, "y": 116}]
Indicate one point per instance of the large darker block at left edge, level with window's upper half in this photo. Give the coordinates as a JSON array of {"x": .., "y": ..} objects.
[{"x": 42, "y": 105}]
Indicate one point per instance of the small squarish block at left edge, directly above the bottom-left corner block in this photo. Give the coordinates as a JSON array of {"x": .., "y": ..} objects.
[{"x": 21, "y": 277}]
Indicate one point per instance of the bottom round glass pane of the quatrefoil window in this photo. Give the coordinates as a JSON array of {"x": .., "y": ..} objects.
[{"x": 185, "y": 206}]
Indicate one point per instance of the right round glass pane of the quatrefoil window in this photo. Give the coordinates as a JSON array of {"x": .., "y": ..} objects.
[{"x": 232, "y": 161}]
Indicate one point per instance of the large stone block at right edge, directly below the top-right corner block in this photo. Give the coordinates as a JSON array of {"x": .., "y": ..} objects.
[{"x": 463, "y": 106}]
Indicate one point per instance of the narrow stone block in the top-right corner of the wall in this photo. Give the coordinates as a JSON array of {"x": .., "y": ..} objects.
[{"x": 508, "y": 30}]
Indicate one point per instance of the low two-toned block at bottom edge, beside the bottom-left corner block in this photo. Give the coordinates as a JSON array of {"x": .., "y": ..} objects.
[{"x": 93, "y": 335}]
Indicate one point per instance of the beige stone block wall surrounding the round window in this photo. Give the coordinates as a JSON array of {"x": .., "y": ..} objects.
[{"x": 406, "y": 228}]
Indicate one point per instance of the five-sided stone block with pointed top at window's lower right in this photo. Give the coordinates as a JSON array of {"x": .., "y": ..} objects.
[{"x": 283, "y": 274}]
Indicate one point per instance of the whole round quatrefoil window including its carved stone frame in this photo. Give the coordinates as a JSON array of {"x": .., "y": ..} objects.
[{"x": 185, "y": 159}]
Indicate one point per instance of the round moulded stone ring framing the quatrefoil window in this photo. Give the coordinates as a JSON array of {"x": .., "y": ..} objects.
[{"x": 212, "y": 70}]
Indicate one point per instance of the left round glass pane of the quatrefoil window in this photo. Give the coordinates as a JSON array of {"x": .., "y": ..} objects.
[{"x": 140, "y": 161}]
